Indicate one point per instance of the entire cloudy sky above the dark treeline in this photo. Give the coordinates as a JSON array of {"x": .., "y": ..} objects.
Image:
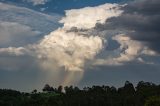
[{"x": 78, "y": 42}]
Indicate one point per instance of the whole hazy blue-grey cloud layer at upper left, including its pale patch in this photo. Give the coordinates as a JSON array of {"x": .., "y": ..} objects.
[{"x": 20, "y": 26}]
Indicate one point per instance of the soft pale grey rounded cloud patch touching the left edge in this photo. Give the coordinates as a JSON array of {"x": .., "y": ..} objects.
[{"x": 15, "y": 34}]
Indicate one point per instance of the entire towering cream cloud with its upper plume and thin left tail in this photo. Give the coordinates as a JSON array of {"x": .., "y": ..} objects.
[{"x": 70, "y": 49}]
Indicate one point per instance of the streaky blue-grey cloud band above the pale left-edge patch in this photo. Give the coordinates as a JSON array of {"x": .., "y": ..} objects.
[{"x": 28, "y": 17}]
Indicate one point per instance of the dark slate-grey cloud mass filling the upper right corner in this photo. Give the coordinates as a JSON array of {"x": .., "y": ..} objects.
[{"x": 140, "y": 20}]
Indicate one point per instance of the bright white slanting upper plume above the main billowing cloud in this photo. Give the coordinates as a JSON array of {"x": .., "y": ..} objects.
[{"x": 87, "y": 17}]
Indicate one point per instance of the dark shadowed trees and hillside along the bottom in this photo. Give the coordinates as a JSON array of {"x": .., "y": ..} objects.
[{"x": 144, "y": 94}]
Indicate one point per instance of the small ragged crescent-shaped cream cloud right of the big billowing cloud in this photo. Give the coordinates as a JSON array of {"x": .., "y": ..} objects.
[{"x": 131, "y": 49}]
